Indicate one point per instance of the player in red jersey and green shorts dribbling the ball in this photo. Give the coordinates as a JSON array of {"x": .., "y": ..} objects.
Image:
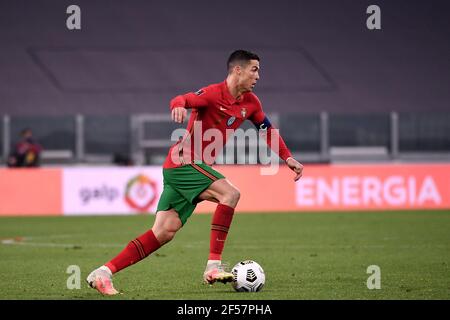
[{"x": 187, "y": 172}]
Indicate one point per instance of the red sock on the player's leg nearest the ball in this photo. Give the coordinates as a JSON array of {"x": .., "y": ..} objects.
[{"x": 219, "y": 230}]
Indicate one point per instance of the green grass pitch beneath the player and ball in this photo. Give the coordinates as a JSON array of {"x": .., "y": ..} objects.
[{"x": 305, "y": 256}]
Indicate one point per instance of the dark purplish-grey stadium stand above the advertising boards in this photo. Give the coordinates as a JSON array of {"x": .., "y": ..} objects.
[{"x": 336, "y": 87}]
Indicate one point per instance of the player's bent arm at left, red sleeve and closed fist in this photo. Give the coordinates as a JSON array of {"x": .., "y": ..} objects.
[{"x": 180, "y": 103}]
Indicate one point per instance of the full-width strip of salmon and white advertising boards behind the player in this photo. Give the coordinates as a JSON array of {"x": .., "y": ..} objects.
[{"x": 322, "y": 188}]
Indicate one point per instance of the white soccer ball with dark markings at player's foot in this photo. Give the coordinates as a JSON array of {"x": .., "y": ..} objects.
[{"x": 248, "y": 276}]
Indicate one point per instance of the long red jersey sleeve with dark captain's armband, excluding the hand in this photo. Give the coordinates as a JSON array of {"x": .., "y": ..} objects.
[{"x": 271, "y": 133}]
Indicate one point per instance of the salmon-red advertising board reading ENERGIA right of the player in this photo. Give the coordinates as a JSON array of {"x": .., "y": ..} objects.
[{"x": 341, "y": 187}]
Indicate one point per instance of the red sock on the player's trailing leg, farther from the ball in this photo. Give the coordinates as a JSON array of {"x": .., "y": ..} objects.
[{"x": 135, "y": 251}]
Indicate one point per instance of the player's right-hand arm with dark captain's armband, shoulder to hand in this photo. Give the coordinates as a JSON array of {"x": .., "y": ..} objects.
[{"x": 262, "y": 122}]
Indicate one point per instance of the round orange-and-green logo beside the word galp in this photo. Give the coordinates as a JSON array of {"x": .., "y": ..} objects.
[{"x": 141, "y": 193}]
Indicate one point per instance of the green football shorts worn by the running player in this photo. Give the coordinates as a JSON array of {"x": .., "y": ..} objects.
[{"x": 183, "y": 185}]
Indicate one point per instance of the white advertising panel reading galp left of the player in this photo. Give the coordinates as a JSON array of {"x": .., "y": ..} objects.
[{"x": 113, "y": 190}]
